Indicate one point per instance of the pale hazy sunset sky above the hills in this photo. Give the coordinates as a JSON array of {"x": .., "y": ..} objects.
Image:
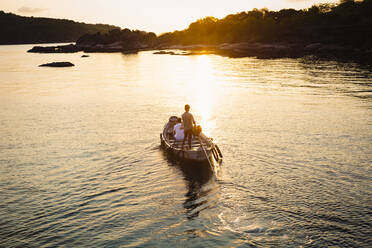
[{"x": 149, "y": 15}]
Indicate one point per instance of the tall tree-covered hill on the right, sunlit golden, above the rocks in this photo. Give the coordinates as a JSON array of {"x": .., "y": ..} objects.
[{"x": 349, "y": 23}]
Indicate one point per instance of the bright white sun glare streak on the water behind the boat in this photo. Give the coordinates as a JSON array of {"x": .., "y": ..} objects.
[{"x": 204, "y": 87}]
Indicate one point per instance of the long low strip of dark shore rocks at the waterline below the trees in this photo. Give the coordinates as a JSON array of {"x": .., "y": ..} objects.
[{"x": 233, "y": 50}]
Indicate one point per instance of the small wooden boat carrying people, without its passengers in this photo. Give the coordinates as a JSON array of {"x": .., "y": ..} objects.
[{"x": 202, "y": 148}]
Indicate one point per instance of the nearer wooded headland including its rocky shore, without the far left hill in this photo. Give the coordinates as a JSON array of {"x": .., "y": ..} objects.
[{"x": 331, "y": 31}]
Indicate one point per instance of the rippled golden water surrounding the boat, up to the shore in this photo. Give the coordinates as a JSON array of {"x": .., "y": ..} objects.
[{"x": 80, "y": 163}]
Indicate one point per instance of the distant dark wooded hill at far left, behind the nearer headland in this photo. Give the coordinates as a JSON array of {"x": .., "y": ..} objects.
[{"x": 17, "y": 29}]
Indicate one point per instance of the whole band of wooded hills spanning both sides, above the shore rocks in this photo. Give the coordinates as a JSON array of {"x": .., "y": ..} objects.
[{"x": 346, "y": 23}]
